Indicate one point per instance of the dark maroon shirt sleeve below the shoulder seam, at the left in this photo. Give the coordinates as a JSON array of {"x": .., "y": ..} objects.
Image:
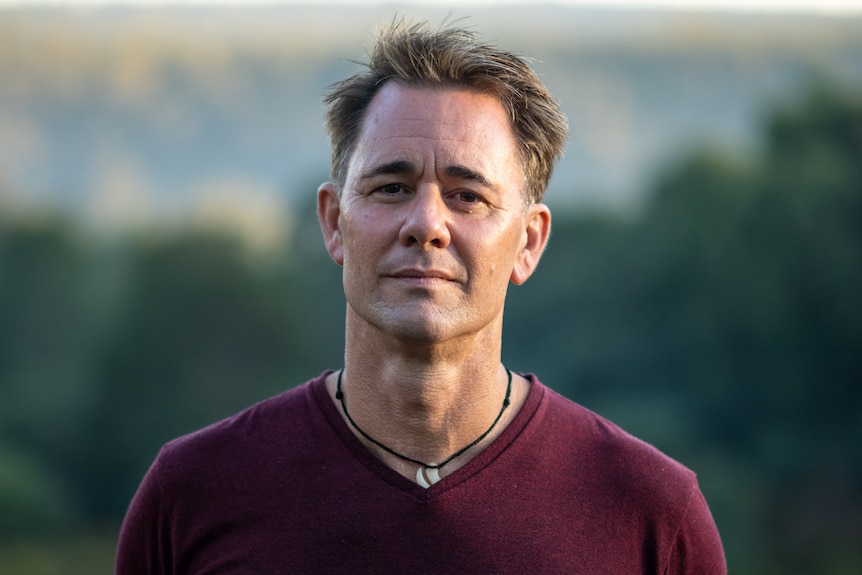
[{"x": 144, "y": 542}]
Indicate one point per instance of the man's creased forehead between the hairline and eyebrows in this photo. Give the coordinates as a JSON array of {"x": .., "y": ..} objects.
[{"x": 440, "y": 125}]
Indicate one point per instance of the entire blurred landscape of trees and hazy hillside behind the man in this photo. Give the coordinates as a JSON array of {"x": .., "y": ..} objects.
[{"x": 161, "y": 265}]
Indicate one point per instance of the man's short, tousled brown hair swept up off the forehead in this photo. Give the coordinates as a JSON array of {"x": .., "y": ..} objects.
[{"x": 417, "y": 55}]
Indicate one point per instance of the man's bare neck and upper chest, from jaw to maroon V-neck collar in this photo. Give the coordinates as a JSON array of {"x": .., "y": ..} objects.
[{"x": 424, "y": 401}]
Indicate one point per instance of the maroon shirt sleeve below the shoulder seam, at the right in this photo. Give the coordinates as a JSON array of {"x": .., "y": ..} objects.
[{"x": 697, "y": 548}]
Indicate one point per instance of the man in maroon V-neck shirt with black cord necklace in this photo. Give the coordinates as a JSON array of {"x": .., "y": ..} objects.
[{"x": 424, "y": 454}]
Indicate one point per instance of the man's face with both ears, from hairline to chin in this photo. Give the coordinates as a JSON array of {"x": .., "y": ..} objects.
[{"x": 432, "y": 225}]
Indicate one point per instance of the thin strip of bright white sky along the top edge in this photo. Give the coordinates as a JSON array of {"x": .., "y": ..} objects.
[{"x": 814, "y": 6}]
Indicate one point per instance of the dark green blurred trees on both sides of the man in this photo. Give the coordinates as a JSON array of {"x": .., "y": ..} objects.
[{"x": 722, "y": 322}]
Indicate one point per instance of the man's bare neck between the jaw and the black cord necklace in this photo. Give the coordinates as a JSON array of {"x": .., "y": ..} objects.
[{"x": 429, "y": 393}]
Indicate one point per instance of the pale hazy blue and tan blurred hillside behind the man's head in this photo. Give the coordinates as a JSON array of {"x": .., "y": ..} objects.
[{"x": 130, "y": 115}]
